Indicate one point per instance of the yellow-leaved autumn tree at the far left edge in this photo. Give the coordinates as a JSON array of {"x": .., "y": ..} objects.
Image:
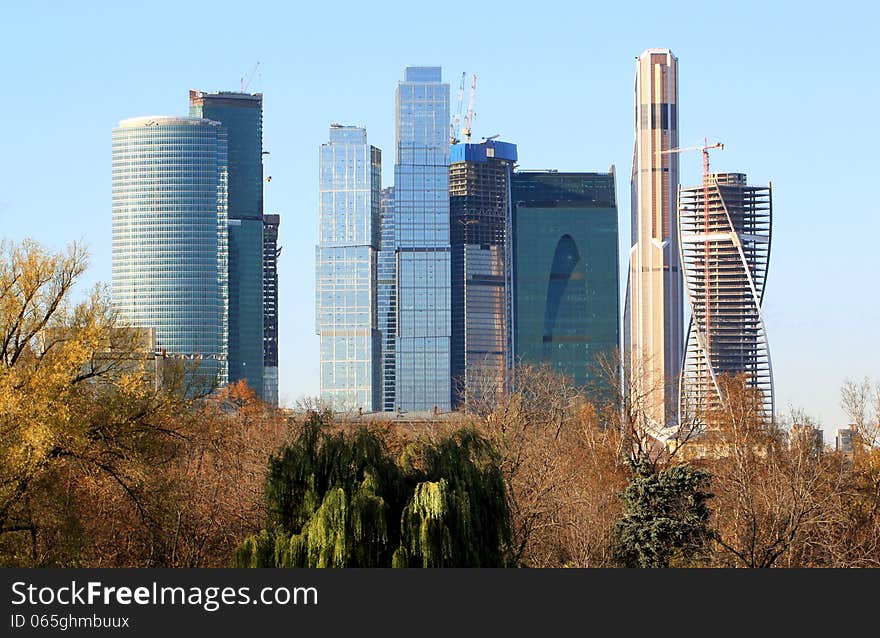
[{"x": 76, "y": 403}]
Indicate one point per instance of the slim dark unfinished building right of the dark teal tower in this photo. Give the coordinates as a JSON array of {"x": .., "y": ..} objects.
[{"x": 271, "y": 252}]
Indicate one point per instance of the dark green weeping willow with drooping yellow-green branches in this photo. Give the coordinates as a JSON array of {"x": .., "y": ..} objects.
[{"x": 345, "y": 500}]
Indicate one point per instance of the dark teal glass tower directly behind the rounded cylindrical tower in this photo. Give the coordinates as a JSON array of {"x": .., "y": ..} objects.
[{"x": 241, "y": 115}]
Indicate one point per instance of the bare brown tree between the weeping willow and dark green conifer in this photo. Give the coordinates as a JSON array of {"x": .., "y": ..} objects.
[{"x": 562, "y": 465}]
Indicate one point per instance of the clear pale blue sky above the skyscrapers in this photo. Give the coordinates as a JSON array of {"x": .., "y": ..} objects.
[{"x": 790, "y": 89}]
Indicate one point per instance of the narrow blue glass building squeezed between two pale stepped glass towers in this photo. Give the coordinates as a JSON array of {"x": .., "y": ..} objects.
[{"x": 387, "y": 296}]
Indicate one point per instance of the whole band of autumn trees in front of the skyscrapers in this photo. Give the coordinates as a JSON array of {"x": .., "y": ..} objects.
[{"x": 102, "y": 466}]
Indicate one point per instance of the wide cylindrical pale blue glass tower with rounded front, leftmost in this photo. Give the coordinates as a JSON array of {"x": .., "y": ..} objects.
[{"x": 170, "y": 236}]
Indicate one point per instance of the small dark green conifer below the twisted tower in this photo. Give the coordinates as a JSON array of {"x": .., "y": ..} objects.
[{"x": 666, "y": 517}]
